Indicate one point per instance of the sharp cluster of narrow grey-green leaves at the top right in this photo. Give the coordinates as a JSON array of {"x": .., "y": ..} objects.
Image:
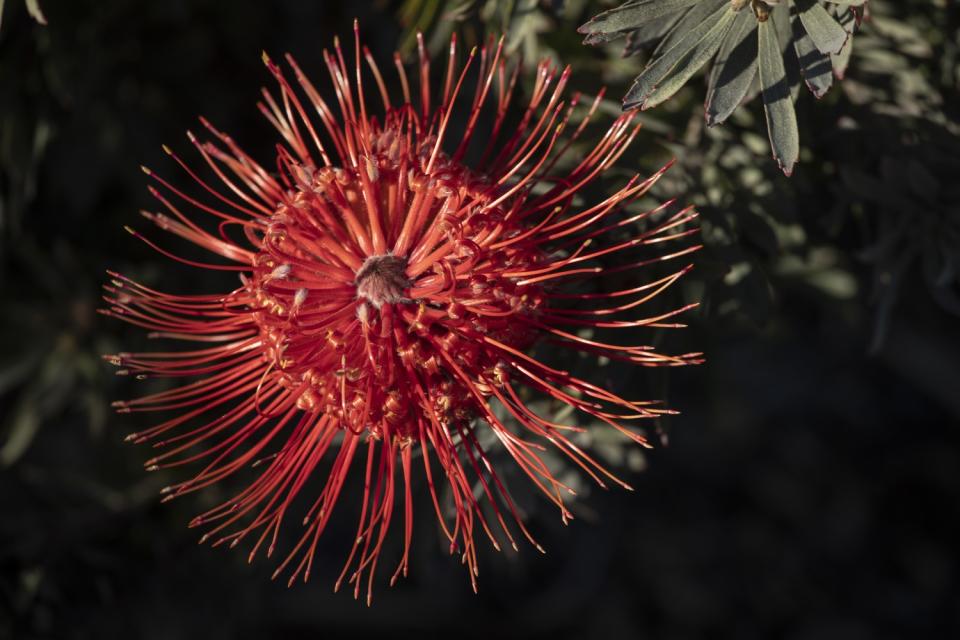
[{"x": 758, "y": 46}]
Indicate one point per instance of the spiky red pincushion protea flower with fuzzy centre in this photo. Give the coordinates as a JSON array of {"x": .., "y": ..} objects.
[{"x": 388, "y": 296}]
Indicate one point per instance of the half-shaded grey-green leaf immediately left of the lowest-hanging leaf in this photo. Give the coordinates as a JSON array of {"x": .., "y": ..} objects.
[{"x": 734, "y": 69}]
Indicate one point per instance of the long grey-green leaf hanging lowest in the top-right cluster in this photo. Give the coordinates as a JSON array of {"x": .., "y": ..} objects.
[{"x": 777, "y": 103}]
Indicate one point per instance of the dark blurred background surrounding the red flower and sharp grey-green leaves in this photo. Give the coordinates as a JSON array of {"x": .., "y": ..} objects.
[{"x": 811, "y": 486}]
